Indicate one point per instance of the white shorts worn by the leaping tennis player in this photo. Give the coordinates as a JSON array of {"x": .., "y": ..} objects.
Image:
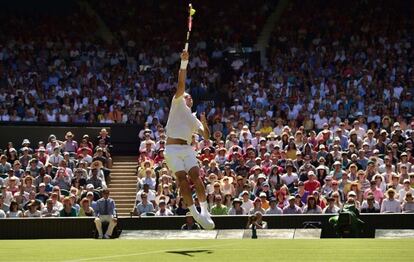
[{"x": 180, "y": 157}]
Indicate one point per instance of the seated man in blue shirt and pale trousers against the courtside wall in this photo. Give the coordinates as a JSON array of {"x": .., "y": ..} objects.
[{"x": 105, "y": 212}]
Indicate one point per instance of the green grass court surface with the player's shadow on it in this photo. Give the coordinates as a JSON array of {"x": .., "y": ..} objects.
[{"x": 208, "y": 250}]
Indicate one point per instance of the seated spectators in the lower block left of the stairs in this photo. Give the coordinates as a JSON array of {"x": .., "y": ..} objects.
[{"x": 56, "y": 177}]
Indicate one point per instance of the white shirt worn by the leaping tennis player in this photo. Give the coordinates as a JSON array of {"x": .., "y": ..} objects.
[{"x": 181, "y": 122}]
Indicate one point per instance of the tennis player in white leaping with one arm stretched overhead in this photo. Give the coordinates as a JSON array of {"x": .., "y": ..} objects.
[{"x": 180, "y": 156}]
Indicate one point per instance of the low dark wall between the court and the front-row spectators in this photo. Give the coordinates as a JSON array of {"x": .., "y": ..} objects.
[{"x": 36, "y": 228}]
